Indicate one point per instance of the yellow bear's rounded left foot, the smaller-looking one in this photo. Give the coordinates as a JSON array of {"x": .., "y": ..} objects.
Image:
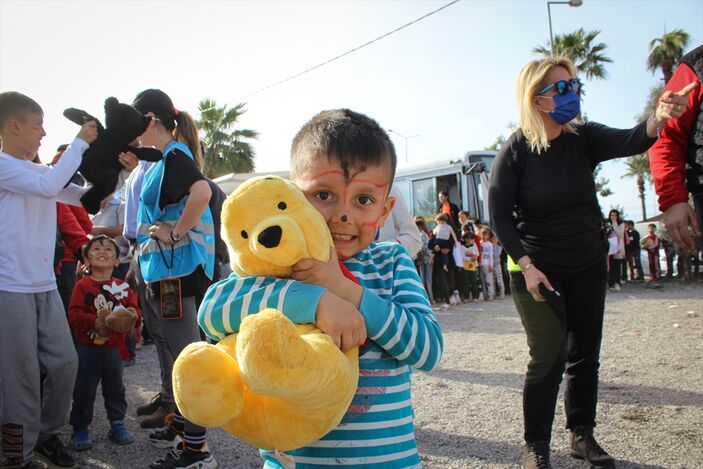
[{"x": 207, "y": 385}]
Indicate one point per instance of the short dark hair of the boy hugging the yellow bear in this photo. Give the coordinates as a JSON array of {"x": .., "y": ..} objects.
[{"x": 354, "y": 139}]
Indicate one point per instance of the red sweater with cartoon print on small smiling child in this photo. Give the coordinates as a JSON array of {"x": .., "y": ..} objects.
[{"x": 82, "y": 311}]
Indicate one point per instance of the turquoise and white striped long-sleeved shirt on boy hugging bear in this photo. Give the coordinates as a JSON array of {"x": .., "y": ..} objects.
[{"x": 377, "y": 430}]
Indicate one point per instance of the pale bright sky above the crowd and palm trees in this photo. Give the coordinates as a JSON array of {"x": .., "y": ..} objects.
[{"x": 449, "y": 78}]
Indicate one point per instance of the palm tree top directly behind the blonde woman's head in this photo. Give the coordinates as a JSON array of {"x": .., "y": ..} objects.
[{"x": 580, "y": 47}]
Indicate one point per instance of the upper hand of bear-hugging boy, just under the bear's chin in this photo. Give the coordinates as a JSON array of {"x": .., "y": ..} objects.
[{"x": 328, "y": 275}]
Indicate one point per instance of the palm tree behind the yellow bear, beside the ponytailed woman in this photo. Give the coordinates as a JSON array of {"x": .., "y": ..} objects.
[{"x": 224, "y": 150}]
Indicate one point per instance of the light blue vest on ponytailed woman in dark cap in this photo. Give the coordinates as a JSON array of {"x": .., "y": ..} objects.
[{"x": 158, "y": 260}]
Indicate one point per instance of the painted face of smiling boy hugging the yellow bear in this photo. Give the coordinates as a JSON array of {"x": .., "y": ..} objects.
[{"x": 355, "y": 208}]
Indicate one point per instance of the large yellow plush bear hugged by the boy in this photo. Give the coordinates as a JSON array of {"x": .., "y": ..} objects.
[{"x": 275, "y": 385}]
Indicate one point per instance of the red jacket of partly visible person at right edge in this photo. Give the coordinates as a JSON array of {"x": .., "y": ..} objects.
[{"x": 667, "y": 157}]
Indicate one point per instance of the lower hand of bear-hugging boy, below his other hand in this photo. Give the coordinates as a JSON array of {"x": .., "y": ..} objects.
[{"x": 340, "y": 320}]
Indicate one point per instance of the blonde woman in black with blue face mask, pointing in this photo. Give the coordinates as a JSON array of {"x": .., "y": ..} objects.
[{"x": 543, "y": 207}]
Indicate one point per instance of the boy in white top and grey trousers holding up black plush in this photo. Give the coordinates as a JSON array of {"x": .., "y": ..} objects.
[{"x": 38, "y": 365}]
